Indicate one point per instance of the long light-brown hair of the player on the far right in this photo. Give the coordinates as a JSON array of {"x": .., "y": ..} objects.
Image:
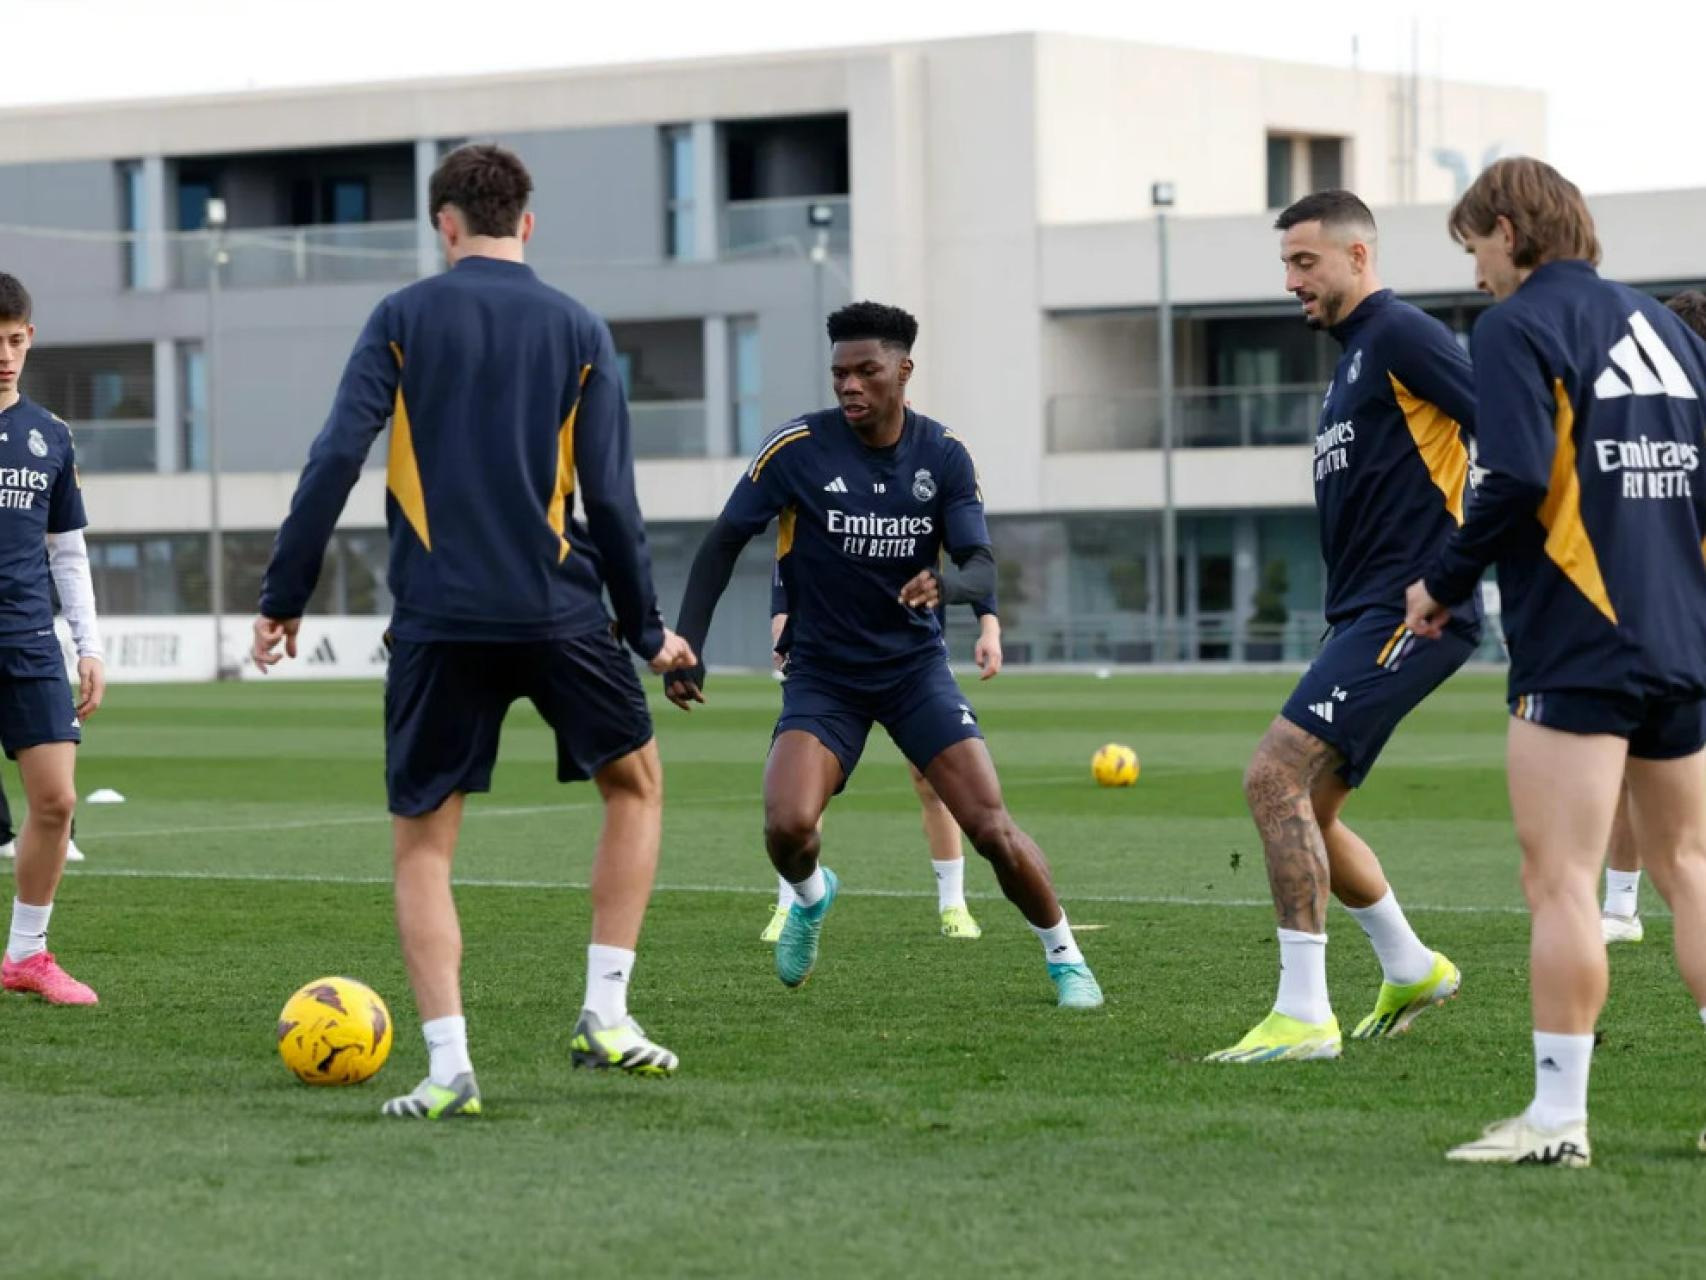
[{"x": 1548, "y": 216}]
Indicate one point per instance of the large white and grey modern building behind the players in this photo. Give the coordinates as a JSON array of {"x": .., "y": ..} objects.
[{"x": 714, "y": 211}]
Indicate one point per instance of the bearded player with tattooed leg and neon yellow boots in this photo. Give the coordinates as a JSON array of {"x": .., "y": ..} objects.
[{"x": 1391, "y": 472}]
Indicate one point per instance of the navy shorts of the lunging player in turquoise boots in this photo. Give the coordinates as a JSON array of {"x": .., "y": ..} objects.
[{"x": 924, "y": 713}]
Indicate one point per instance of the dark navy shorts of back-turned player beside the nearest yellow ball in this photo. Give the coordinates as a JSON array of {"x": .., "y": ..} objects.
[{"x": 446, "y": 702}]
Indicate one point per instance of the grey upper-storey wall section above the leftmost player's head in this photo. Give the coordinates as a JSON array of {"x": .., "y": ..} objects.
[{"x": 62, "y": 197}]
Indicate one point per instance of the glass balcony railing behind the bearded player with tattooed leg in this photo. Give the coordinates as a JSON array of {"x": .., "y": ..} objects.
[{"x": 1204, "y": 419}]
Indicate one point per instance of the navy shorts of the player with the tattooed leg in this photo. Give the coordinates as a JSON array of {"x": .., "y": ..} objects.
[{"x": 1369, "y": 675}]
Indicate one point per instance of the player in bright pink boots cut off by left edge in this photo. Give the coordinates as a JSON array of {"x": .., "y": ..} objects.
[{"x": 42, "y": 549}]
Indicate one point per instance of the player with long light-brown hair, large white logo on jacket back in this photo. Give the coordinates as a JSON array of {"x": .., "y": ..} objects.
[{"x": 1594, "y": 508}]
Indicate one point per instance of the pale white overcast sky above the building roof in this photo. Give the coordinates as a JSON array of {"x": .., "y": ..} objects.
[{"x": 1622, "y": 81}]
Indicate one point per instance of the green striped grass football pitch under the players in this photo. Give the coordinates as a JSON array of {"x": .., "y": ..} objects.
[{"x": 919, "y": 1108}]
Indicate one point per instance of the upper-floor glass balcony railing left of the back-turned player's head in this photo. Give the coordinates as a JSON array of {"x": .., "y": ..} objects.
[{"x": 328, "y": 255}]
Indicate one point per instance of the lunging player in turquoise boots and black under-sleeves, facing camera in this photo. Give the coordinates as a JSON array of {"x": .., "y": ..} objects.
[{"x": 868, "y": 496}]
